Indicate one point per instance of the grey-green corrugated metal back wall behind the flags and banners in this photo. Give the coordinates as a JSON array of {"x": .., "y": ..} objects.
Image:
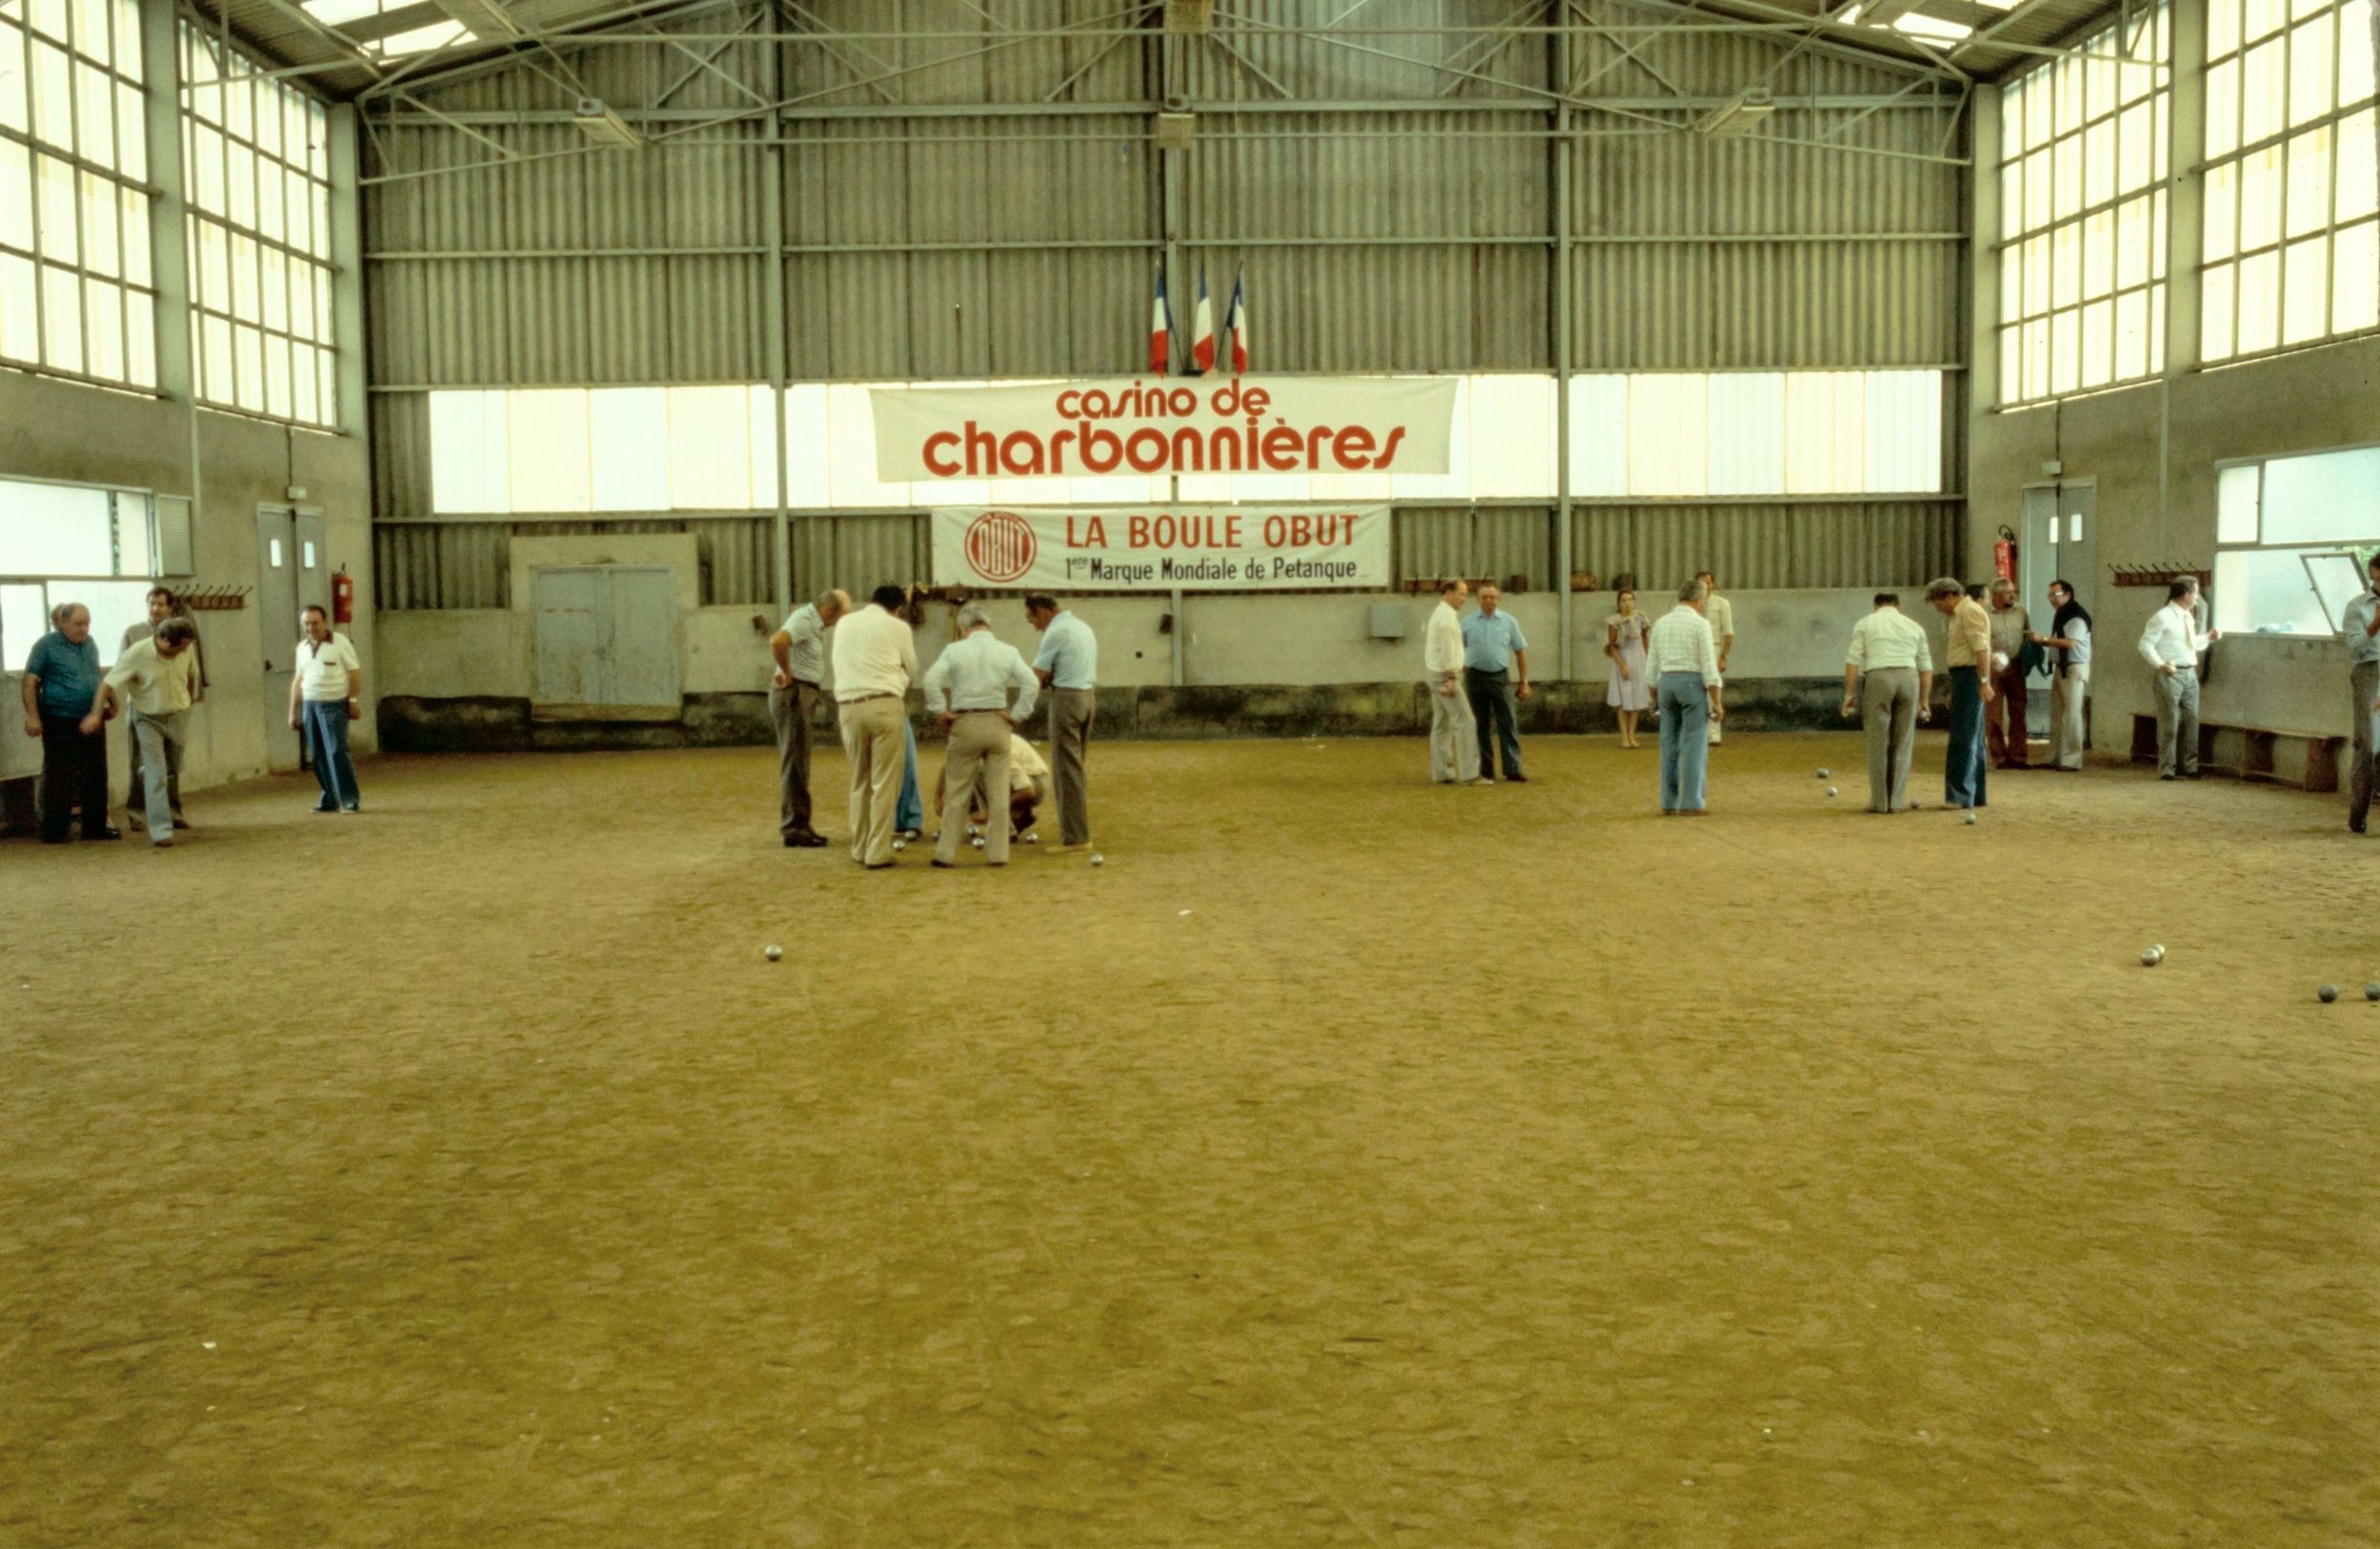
[{"x": 1389, "y": 196}]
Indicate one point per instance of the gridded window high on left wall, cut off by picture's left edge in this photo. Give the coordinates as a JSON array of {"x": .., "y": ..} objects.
[{"x": 75, "y": 211}]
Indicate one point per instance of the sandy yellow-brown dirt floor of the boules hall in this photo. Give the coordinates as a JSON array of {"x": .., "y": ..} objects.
[{"x": 1346, "y": 1162}]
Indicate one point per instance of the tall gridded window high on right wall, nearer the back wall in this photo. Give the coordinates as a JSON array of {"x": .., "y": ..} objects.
[{"x": 2084, "y": 215}]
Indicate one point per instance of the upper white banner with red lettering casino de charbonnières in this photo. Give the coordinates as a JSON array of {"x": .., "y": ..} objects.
[{"x": 1220, "y": 425}]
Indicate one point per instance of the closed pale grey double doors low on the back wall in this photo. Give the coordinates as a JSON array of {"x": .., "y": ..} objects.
[{"x": 608, "y": 634}]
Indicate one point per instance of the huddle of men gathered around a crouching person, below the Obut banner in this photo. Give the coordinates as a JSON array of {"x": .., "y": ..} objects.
[{"x": 979, "y": 689}]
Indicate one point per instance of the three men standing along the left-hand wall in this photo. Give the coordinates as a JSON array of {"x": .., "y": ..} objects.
[{"x": 158, "y": 677}]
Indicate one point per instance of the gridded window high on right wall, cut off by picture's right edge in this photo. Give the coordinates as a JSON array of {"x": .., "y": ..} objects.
[{"x": 2293, "y": 244}]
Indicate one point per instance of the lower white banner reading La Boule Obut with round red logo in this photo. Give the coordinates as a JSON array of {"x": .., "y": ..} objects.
[{"x": 1210, "y": 548}]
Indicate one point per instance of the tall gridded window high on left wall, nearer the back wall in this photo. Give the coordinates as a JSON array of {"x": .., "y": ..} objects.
[{"x": 258, "y": 177}]
